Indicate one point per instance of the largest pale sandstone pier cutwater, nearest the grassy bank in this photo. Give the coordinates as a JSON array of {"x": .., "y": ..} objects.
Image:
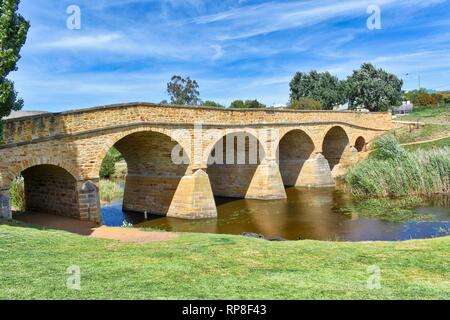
[{"x": 193, "y": 198}]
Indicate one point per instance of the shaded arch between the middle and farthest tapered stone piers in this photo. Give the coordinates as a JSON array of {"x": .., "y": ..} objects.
[{"x": 294, "y": 149}]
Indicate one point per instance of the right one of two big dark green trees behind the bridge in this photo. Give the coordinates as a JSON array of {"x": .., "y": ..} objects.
[{"x": 375, "y": 89}]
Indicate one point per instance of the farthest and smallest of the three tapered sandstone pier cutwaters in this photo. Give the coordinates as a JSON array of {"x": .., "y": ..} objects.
[{"x": 315, "y": 173}]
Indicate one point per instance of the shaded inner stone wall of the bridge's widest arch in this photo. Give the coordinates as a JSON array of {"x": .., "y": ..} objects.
[{"x": 156, "y": 163}]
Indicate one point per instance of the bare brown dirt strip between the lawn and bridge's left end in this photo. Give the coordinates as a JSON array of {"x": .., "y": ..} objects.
[{"x": 90, "y": 229}]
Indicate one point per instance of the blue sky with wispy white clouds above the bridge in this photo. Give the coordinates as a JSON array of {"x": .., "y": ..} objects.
[{"x": 127, "y": 50}]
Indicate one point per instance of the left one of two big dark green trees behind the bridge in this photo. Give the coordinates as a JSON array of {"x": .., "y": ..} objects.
[{"x": 323, "y": 87}]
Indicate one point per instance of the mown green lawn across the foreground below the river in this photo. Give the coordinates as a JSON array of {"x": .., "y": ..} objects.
[{"x": 33, "y": 265}]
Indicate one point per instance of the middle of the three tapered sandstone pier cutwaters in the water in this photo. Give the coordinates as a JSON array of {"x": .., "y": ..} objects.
[{"x": 266, "y": 183}]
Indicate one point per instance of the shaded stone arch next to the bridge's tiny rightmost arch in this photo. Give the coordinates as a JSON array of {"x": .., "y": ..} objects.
[{"x": 334, "y": 145}]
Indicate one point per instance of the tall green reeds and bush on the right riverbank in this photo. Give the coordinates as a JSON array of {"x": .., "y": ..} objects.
[{"x": 392, "y": 171}]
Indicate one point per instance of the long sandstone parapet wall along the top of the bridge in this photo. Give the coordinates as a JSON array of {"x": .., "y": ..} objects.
[{"x": 26, "y": 129}]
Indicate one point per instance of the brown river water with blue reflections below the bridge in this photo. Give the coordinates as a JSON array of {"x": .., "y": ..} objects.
[{"x": 305, "y": 214}]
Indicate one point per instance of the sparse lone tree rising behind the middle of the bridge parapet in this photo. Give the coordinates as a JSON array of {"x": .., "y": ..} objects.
[{"x": 183, "y": 91}]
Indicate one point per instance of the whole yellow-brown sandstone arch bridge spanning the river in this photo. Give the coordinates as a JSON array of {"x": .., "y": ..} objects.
[{"x": 173, "y": 155}]
